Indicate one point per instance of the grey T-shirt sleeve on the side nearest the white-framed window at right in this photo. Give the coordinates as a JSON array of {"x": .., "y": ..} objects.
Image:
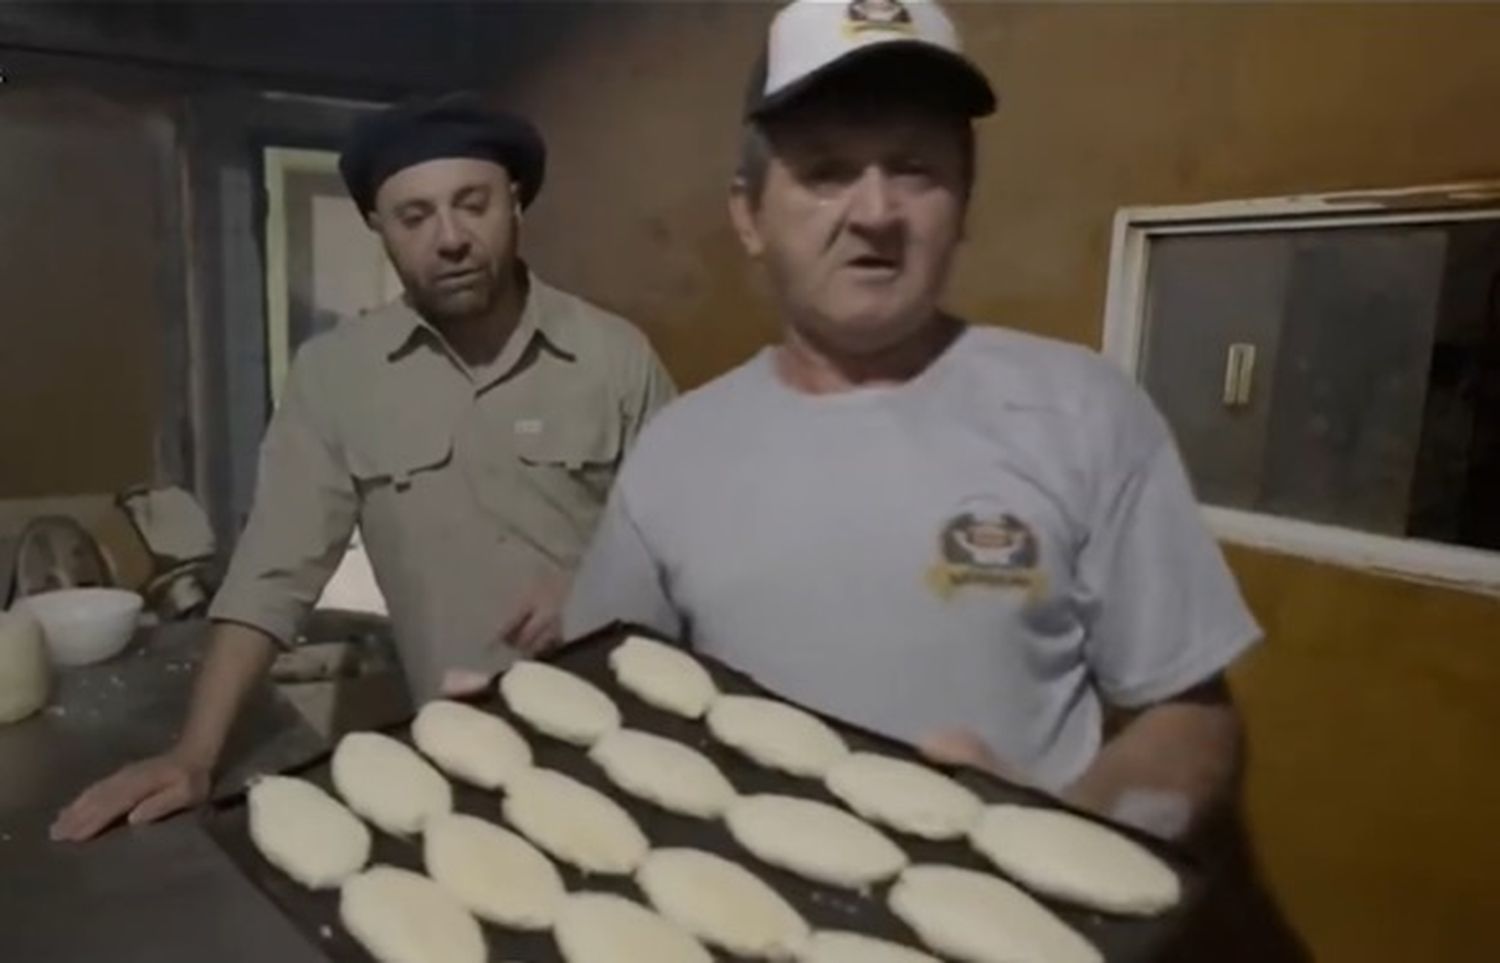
[{"x": 1163, "y": 608}]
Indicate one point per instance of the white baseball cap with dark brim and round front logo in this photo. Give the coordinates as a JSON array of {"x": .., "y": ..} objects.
[{"x": 811, "y": 40}]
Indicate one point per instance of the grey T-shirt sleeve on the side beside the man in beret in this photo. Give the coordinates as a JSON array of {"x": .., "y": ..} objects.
[{"x": 620, "y": 580}]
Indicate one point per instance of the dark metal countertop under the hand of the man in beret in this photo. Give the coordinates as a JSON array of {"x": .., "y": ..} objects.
[{"x": 155, "y": 895}]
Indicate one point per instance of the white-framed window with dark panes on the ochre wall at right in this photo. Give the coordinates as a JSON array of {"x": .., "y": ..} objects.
[{"x": 1331, "y": 368}]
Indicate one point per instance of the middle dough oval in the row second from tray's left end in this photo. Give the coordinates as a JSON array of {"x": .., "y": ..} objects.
[{"x": 493, "y": 872}]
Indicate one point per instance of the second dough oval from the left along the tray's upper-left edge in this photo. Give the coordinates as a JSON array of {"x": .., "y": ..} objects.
[{"x": 389, "y": 784}]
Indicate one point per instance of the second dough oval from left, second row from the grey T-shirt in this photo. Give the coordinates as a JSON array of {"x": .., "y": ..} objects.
[{"x": 676, "y": 778}]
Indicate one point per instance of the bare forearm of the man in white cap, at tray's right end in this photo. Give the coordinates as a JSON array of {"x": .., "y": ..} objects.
[{"x": 1166, "y": 770}]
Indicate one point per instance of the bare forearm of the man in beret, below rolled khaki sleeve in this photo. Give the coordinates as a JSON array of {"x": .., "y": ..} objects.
[{"x": 238, "y": 658}]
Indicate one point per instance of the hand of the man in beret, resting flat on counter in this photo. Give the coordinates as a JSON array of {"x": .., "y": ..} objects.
[{"x": 143, "y": 791}]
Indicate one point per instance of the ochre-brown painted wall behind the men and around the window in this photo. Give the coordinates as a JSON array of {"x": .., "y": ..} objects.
[{"x": 1375, "y": 707}]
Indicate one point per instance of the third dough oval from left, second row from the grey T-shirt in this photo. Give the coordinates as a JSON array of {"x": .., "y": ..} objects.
[{"x": 814, "y": 841}]
